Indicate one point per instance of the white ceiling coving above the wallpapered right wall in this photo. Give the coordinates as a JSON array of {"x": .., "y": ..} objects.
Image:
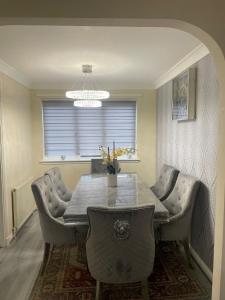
[{"x": 191, "y": 58}]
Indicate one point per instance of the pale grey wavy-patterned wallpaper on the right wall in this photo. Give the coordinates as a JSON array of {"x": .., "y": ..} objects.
[{"x": 191, "y": 147}]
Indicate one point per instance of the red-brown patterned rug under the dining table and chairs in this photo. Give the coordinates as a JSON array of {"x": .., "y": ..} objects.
[{"x": 66, "y": 278}]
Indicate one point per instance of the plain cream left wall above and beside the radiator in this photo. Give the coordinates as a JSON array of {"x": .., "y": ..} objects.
[{"x": 16, "y": 142}]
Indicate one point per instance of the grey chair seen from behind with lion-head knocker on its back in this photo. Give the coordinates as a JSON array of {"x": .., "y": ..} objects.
[{"x": 120, "y": 245}]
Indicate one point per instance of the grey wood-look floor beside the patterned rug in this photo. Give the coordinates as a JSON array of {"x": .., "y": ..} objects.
[{"x": 21, "y": 261}]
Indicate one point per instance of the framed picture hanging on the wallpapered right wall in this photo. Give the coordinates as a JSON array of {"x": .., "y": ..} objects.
[{"x": 183, "y": 103}]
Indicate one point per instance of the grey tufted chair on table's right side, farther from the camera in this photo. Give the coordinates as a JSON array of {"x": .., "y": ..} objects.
[{"x": 166, "y": 182}]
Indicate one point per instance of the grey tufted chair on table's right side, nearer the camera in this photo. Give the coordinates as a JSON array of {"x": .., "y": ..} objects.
[{"x": 180, "y": 204}]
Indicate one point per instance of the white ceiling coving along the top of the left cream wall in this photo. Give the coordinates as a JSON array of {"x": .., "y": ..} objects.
[{"x": 14, "y": 74}]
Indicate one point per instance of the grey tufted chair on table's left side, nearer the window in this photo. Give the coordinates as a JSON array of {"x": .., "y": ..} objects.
[{"x": 64, "y": 193}]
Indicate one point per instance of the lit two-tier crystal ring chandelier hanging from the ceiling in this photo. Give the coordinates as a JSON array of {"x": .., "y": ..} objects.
[{"x": 87, "y": 97}]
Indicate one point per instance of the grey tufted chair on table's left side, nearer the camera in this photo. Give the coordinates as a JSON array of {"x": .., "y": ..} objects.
[{"x": 49, "y": 207}]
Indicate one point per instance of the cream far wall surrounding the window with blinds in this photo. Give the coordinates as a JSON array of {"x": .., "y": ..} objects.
[{"x": 72, "y": 171}]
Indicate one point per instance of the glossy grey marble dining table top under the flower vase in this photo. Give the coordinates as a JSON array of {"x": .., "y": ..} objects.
[{"x": 93, "y": 190}]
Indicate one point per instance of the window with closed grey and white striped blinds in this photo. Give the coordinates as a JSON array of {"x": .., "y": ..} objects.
[{"x": 71, "y": 132}]
